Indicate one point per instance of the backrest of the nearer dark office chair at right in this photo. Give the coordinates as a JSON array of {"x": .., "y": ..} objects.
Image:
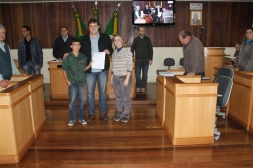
[{"x": 224, "y": 90}]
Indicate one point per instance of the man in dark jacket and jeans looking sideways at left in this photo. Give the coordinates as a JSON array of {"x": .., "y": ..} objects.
[{"x": 30, "y": 55}]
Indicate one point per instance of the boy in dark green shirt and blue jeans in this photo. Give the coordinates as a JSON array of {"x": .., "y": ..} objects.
[{"x": 73, "y": 67}]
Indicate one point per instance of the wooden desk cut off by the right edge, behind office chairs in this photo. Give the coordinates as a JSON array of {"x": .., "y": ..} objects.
[{"x": 241, "y": 98}]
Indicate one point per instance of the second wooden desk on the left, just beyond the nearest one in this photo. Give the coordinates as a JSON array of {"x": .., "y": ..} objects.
[{"x": 36, "y": 97}]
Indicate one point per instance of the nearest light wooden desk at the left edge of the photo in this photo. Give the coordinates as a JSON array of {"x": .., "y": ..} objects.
[{"x": 16, "y": 133}]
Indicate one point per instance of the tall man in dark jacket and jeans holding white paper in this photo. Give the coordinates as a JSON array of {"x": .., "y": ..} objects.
[{"x": 97, "y": 47}]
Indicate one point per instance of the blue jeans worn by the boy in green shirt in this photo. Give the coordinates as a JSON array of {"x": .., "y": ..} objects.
[{"x": 76, "y": 91}]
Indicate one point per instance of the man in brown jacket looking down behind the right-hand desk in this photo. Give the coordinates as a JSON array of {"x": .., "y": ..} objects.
[{"x": 193, "y": 50}]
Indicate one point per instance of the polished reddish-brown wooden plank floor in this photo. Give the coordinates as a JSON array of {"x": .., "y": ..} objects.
[{"x": 140, "y": 143}]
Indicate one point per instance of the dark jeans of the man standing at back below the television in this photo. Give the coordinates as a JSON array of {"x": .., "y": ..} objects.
[{"x": 141, "y": 65}]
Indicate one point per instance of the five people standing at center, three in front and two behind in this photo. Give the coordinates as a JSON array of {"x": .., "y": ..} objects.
[{"x": 81, "y": 58}]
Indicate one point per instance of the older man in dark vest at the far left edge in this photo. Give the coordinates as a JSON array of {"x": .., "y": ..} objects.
[{"x": 7, "y": 66}]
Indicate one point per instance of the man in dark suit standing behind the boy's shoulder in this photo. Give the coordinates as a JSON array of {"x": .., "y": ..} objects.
[{"x": 62, "y": 44}]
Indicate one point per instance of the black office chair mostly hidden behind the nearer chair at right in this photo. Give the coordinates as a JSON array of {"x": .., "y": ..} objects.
[{"x": 228, "y": 72}]
